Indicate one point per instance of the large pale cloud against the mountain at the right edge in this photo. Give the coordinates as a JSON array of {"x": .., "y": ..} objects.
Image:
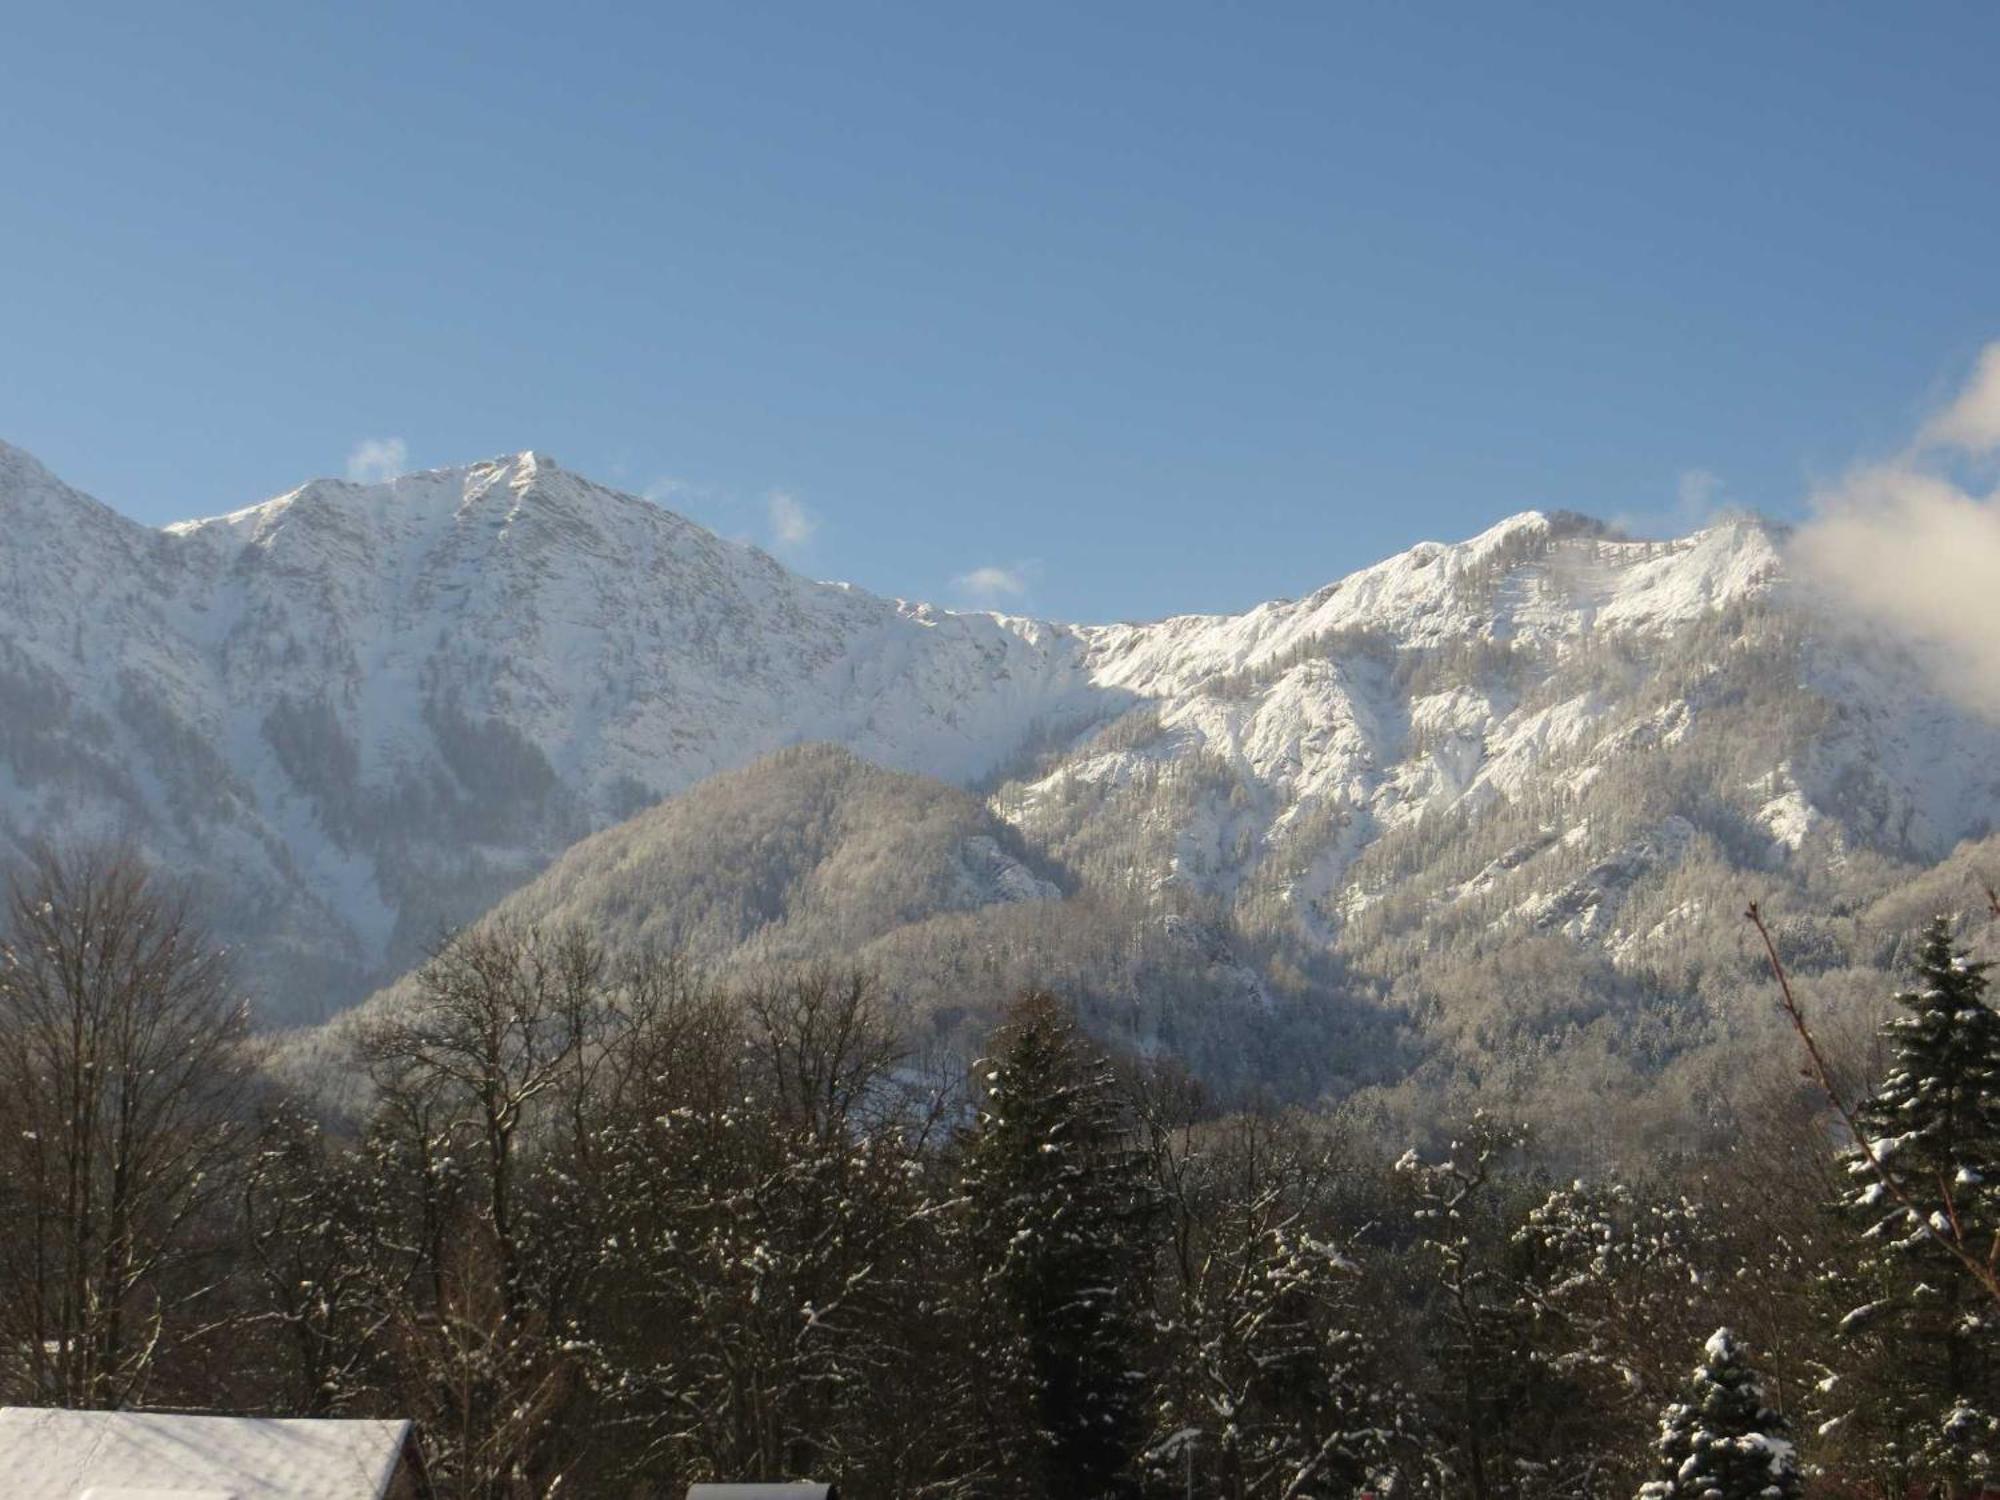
[{"x": 1913, "y": 547}]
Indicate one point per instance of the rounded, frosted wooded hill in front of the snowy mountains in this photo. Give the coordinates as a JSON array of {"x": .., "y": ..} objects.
[{"x": 815, "y": 855}]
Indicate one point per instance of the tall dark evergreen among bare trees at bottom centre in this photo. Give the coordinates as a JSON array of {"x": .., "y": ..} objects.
[{"x": 1063, "y": 1227}]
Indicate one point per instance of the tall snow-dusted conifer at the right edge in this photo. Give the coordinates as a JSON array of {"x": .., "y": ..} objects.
[{"x": 1919, "y": 1391}]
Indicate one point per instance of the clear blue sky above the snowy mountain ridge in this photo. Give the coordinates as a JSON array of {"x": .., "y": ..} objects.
[{"x": 1143, "y": 309}]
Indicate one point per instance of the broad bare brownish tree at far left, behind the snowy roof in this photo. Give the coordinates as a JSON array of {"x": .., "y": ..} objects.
[{"x": 123, "y": 1077}]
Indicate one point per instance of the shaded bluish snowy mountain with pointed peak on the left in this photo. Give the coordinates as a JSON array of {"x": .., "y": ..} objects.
[{"x": 359, "y": 713}]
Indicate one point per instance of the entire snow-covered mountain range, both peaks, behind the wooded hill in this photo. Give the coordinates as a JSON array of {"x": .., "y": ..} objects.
[{"x": 361, "y": 713}]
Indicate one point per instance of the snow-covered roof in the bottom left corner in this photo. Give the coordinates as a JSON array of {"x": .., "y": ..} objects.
[{"x": 53, "y": 1455}]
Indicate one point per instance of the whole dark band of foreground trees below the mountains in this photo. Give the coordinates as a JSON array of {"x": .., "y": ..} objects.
[{"x": 605, "y": 1227}]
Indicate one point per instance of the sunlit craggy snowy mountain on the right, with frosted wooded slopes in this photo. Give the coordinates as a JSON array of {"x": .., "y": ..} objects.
[{"x": 1515, "y": 799}]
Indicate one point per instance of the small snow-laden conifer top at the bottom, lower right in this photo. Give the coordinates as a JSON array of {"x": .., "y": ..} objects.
[{"x": 1723, "y": 1443}]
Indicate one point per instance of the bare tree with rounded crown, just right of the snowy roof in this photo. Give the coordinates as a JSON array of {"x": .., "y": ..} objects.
[{"x": 495, "y": 1055}]
